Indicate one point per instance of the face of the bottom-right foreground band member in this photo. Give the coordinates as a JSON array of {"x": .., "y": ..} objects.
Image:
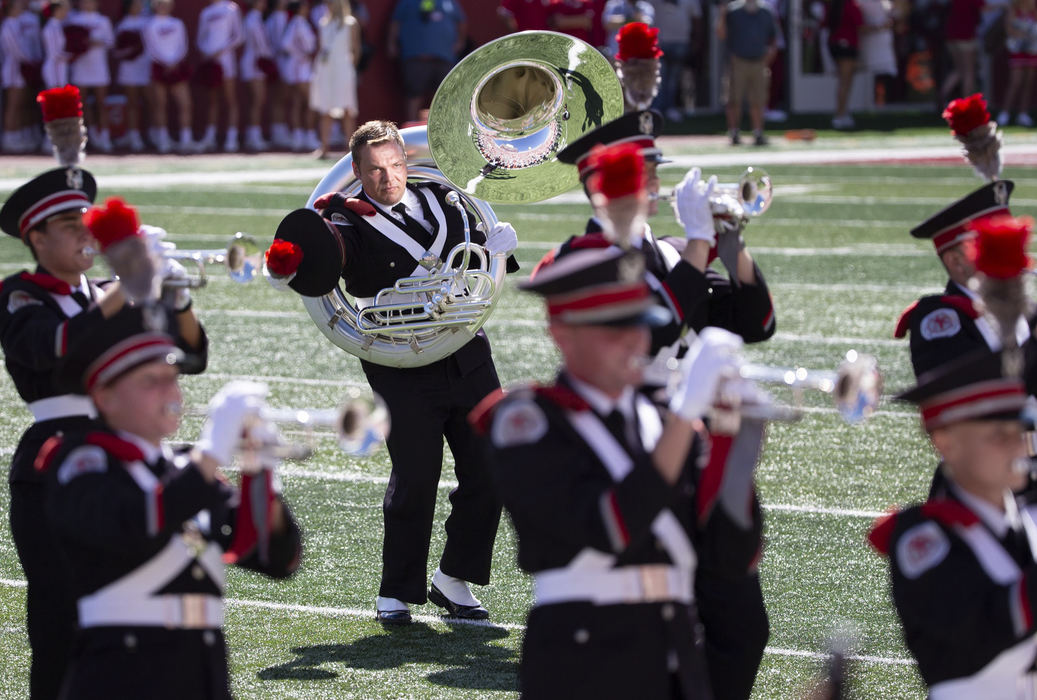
[{"x": 980, "y": 455}]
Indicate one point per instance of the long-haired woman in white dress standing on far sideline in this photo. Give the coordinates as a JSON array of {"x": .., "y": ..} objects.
[{"x": 333, "y": 89}]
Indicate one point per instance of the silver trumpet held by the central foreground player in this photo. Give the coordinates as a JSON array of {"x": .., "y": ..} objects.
[{"x": 856, "y": 387}]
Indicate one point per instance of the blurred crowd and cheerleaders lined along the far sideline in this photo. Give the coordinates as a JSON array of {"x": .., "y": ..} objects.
[{"x": 216, "y": 75}]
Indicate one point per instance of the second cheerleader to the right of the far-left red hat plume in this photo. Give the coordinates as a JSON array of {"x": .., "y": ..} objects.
[{"x": 134, "y": 72}]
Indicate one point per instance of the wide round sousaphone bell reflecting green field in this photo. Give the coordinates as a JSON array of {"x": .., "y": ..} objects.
[{"x": 528, "y": 96}]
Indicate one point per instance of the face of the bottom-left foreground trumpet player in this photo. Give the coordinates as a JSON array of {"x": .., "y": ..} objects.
[{"x": 146, "y": 402}]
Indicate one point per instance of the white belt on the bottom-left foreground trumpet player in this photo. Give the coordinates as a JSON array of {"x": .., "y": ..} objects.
[{"x": 189, "y": 611}]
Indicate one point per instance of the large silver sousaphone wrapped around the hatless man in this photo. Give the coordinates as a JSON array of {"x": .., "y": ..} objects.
[{"x": 529, "y": 95}]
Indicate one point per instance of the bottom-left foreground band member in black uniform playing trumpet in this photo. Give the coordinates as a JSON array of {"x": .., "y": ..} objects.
[{"x": 148, "y": 534}]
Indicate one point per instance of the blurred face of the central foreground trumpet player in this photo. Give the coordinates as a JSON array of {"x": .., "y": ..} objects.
[{"x": 610, "y": 358}]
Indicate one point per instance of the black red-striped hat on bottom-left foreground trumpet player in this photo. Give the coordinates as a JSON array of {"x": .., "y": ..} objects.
[{"x": 130, "y": 339}]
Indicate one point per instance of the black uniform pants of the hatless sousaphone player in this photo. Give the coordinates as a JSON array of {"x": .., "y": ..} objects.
[{"x": 426, "y": 406}]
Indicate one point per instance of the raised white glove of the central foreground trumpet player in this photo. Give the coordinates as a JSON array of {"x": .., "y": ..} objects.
[{"x": 715, "y": 356}]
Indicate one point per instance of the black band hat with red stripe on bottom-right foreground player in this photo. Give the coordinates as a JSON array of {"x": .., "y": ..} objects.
[{"x": 972, "y": 387}]
